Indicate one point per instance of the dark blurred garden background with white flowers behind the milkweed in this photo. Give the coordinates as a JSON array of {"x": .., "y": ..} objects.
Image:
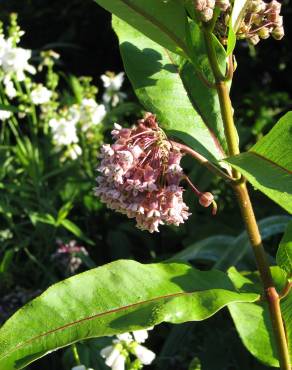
[{"x": 53, "y": 121}]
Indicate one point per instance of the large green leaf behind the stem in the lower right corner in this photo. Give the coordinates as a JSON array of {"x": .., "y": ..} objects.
[{"x": 252, "y": 320}]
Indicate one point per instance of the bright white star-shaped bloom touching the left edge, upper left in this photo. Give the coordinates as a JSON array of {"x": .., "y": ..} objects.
[{"x": 15, "y": 60}]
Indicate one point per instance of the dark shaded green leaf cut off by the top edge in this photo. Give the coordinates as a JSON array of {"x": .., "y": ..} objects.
[{"x": 165, "y": 22}]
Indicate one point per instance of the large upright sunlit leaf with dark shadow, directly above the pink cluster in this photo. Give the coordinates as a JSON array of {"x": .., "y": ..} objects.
[{"x": 185, "y": 107}]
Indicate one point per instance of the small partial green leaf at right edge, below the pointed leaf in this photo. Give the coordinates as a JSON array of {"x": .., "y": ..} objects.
[{"x": 284, "y": 254}]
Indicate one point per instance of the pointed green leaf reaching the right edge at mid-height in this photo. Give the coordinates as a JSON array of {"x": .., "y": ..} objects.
[{"x": 268, "y": 164}]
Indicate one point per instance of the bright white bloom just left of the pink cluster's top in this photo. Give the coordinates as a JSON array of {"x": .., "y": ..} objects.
[{"x": 64, "y": 131}]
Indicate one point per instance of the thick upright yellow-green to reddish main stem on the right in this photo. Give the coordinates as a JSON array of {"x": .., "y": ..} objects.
[{"x": 247, "y": 212}]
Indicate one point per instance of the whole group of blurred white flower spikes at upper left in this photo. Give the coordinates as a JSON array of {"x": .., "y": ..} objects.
[{"x": 68, "y": 122}]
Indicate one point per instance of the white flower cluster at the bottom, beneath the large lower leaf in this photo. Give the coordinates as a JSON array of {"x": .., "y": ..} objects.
[{"x": 125, "y": 345}]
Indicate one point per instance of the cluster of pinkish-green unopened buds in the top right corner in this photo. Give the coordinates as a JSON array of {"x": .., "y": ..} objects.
[{"x": 262, "y": 20}]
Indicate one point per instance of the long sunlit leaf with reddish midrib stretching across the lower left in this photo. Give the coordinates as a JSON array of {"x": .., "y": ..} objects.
[{"x": 115, "y": 298}]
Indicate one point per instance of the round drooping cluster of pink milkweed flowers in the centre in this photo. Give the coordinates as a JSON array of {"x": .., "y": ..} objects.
[{"x": 140, "y": 175}]
